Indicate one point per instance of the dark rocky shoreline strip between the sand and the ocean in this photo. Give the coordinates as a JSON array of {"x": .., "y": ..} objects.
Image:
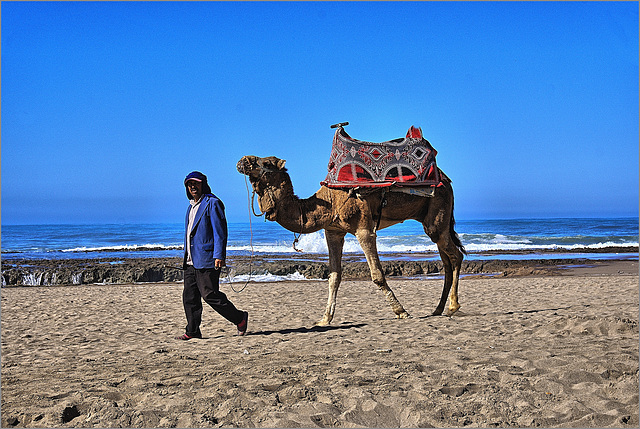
[{"x": 20, "y": 272}]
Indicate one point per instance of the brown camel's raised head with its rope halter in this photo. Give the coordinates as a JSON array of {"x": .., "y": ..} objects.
[{"x": 269, "y": 180}]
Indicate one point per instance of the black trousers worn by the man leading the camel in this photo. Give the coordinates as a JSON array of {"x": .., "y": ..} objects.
[{"x": 203, "y": 284}]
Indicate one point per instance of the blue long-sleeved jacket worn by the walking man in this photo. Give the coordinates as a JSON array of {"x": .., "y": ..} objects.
[{"x": 209, "y": 233}]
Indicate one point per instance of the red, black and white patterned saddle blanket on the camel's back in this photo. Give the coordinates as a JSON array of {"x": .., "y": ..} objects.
[{"x": 408, "y": 161}]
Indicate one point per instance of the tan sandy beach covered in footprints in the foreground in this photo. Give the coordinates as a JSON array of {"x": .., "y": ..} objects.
[{"x": 556, "y": 350}]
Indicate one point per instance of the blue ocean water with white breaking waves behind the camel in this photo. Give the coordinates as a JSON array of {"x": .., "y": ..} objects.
[{"x": 505, "y": 239}]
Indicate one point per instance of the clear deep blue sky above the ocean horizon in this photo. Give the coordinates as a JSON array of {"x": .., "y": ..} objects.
[{"x": 532, "y": 106}]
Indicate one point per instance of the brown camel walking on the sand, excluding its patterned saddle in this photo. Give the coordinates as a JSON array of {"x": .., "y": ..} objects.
[{"x": 360, "y": 213}]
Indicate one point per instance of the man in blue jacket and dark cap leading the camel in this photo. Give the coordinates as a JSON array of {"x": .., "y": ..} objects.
[{"x": 205, "y": 248}]
